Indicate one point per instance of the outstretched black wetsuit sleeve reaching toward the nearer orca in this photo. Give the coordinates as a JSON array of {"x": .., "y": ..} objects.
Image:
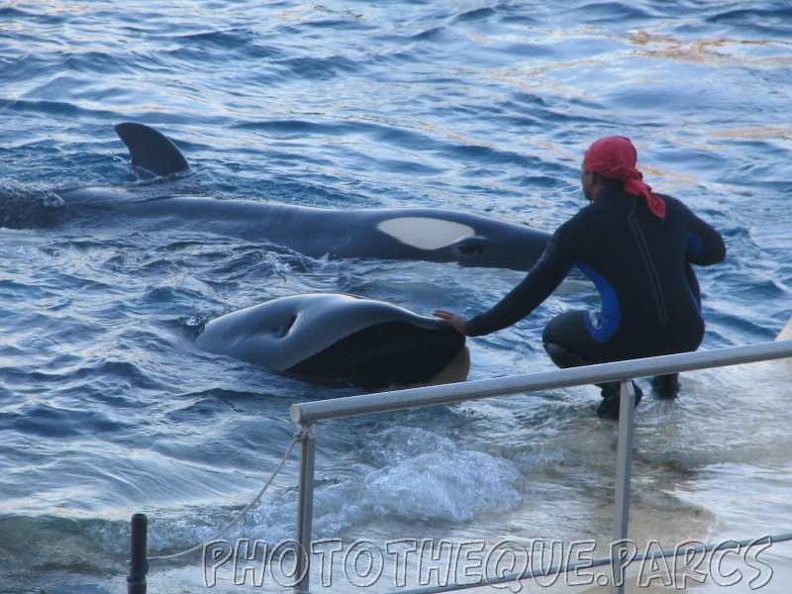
[{"x": 540, "y": 282}]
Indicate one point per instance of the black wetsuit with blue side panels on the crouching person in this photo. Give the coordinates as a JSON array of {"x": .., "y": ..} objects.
[{"x": 641, "y": 266}]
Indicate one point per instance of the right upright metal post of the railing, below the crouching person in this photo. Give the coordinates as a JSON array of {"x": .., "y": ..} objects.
[{"x": 621, "y": 516}]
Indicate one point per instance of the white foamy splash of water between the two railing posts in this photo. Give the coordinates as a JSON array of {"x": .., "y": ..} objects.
[{"x": 419, "y": 475}]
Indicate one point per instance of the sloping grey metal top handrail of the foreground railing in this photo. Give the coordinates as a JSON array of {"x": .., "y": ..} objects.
[{"x": 380, "y": 402}]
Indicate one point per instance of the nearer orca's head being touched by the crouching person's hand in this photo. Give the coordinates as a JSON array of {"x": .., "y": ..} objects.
[{"x": 333, "y": 338}]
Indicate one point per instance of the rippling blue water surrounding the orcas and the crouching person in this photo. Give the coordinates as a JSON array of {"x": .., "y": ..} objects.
[{"x": 107, "y": 409}]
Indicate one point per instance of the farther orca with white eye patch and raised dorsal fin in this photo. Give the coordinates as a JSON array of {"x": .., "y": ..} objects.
[{"x": 403, "y": 234}]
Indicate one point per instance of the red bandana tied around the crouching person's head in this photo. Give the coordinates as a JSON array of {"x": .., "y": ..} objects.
[{"x": 615, "y": 157}]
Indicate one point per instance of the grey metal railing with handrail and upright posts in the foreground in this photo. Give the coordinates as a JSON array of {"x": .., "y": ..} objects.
[{"x": 308, "y": 413}]
